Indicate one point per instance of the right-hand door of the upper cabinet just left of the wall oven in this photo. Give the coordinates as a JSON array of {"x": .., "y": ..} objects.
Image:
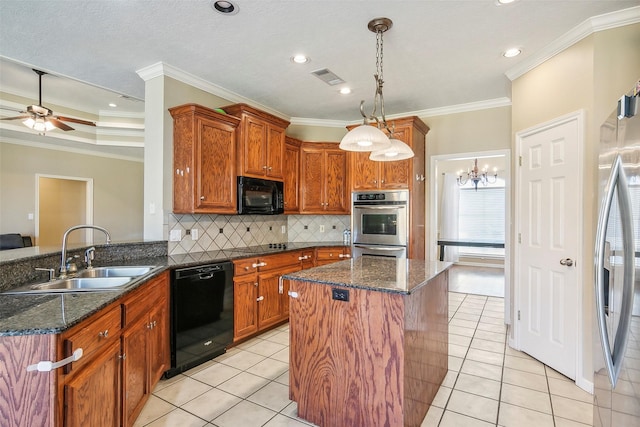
[{"x": 336, "y": 186}]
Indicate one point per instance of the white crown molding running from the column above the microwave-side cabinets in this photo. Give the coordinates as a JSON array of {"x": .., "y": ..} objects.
[{"x": 161, "y": 69}]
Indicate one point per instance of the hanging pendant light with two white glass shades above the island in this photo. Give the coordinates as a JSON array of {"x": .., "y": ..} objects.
[{"x": 371, "y": 138}]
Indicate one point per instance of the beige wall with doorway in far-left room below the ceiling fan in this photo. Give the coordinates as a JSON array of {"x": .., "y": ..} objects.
[{"x": 117, "y": 190}]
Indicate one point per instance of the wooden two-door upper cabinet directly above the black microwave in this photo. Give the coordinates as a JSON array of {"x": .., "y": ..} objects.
[{"x": 261, "y": 142}]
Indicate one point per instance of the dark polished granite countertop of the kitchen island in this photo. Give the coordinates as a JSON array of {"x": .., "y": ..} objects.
[{"x": 376, "y": 274}]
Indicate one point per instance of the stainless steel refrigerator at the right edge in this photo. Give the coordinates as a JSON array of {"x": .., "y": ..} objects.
[{"x": 617, "y": 269}]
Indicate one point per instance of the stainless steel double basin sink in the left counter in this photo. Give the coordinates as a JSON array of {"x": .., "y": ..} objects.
[{"x": 91, "y": 279}]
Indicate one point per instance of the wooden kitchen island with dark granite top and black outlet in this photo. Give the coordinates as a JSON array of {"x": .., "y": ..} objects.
[{"x": 368, "y": 341}]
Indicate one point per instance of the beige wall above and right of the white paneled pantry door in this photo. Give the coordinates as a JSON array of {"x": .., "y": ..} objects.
[{"x": 590, "y": 75}]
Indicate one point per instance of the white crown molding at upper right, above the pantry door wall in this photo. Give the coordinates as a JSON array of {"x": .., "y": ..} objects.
[{"x": 594, "y": 24}]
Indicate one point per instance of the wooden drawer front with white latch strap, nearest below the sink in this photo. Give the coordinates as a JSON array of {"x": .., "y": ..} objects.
[{"x": 92, "y": 335}]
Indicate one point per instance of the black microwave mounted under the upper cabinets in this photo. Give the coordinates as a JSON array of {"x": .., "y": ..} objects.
[{"x": 260, "y": 196}]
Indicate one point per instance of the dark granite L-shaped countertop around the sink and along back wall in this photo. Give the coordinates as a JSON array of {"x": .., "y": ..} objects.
[{"x": 31, "y": 314}]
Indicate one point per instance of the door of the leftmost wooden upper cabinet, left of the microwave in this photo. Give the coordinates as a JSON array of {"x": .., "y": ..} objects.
[{"x": 215, "y": 160}]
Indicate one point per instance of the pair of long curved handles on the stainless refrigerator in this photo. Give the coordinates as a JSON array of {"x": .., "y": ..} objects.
[{"x": 613, "y": 357}]
